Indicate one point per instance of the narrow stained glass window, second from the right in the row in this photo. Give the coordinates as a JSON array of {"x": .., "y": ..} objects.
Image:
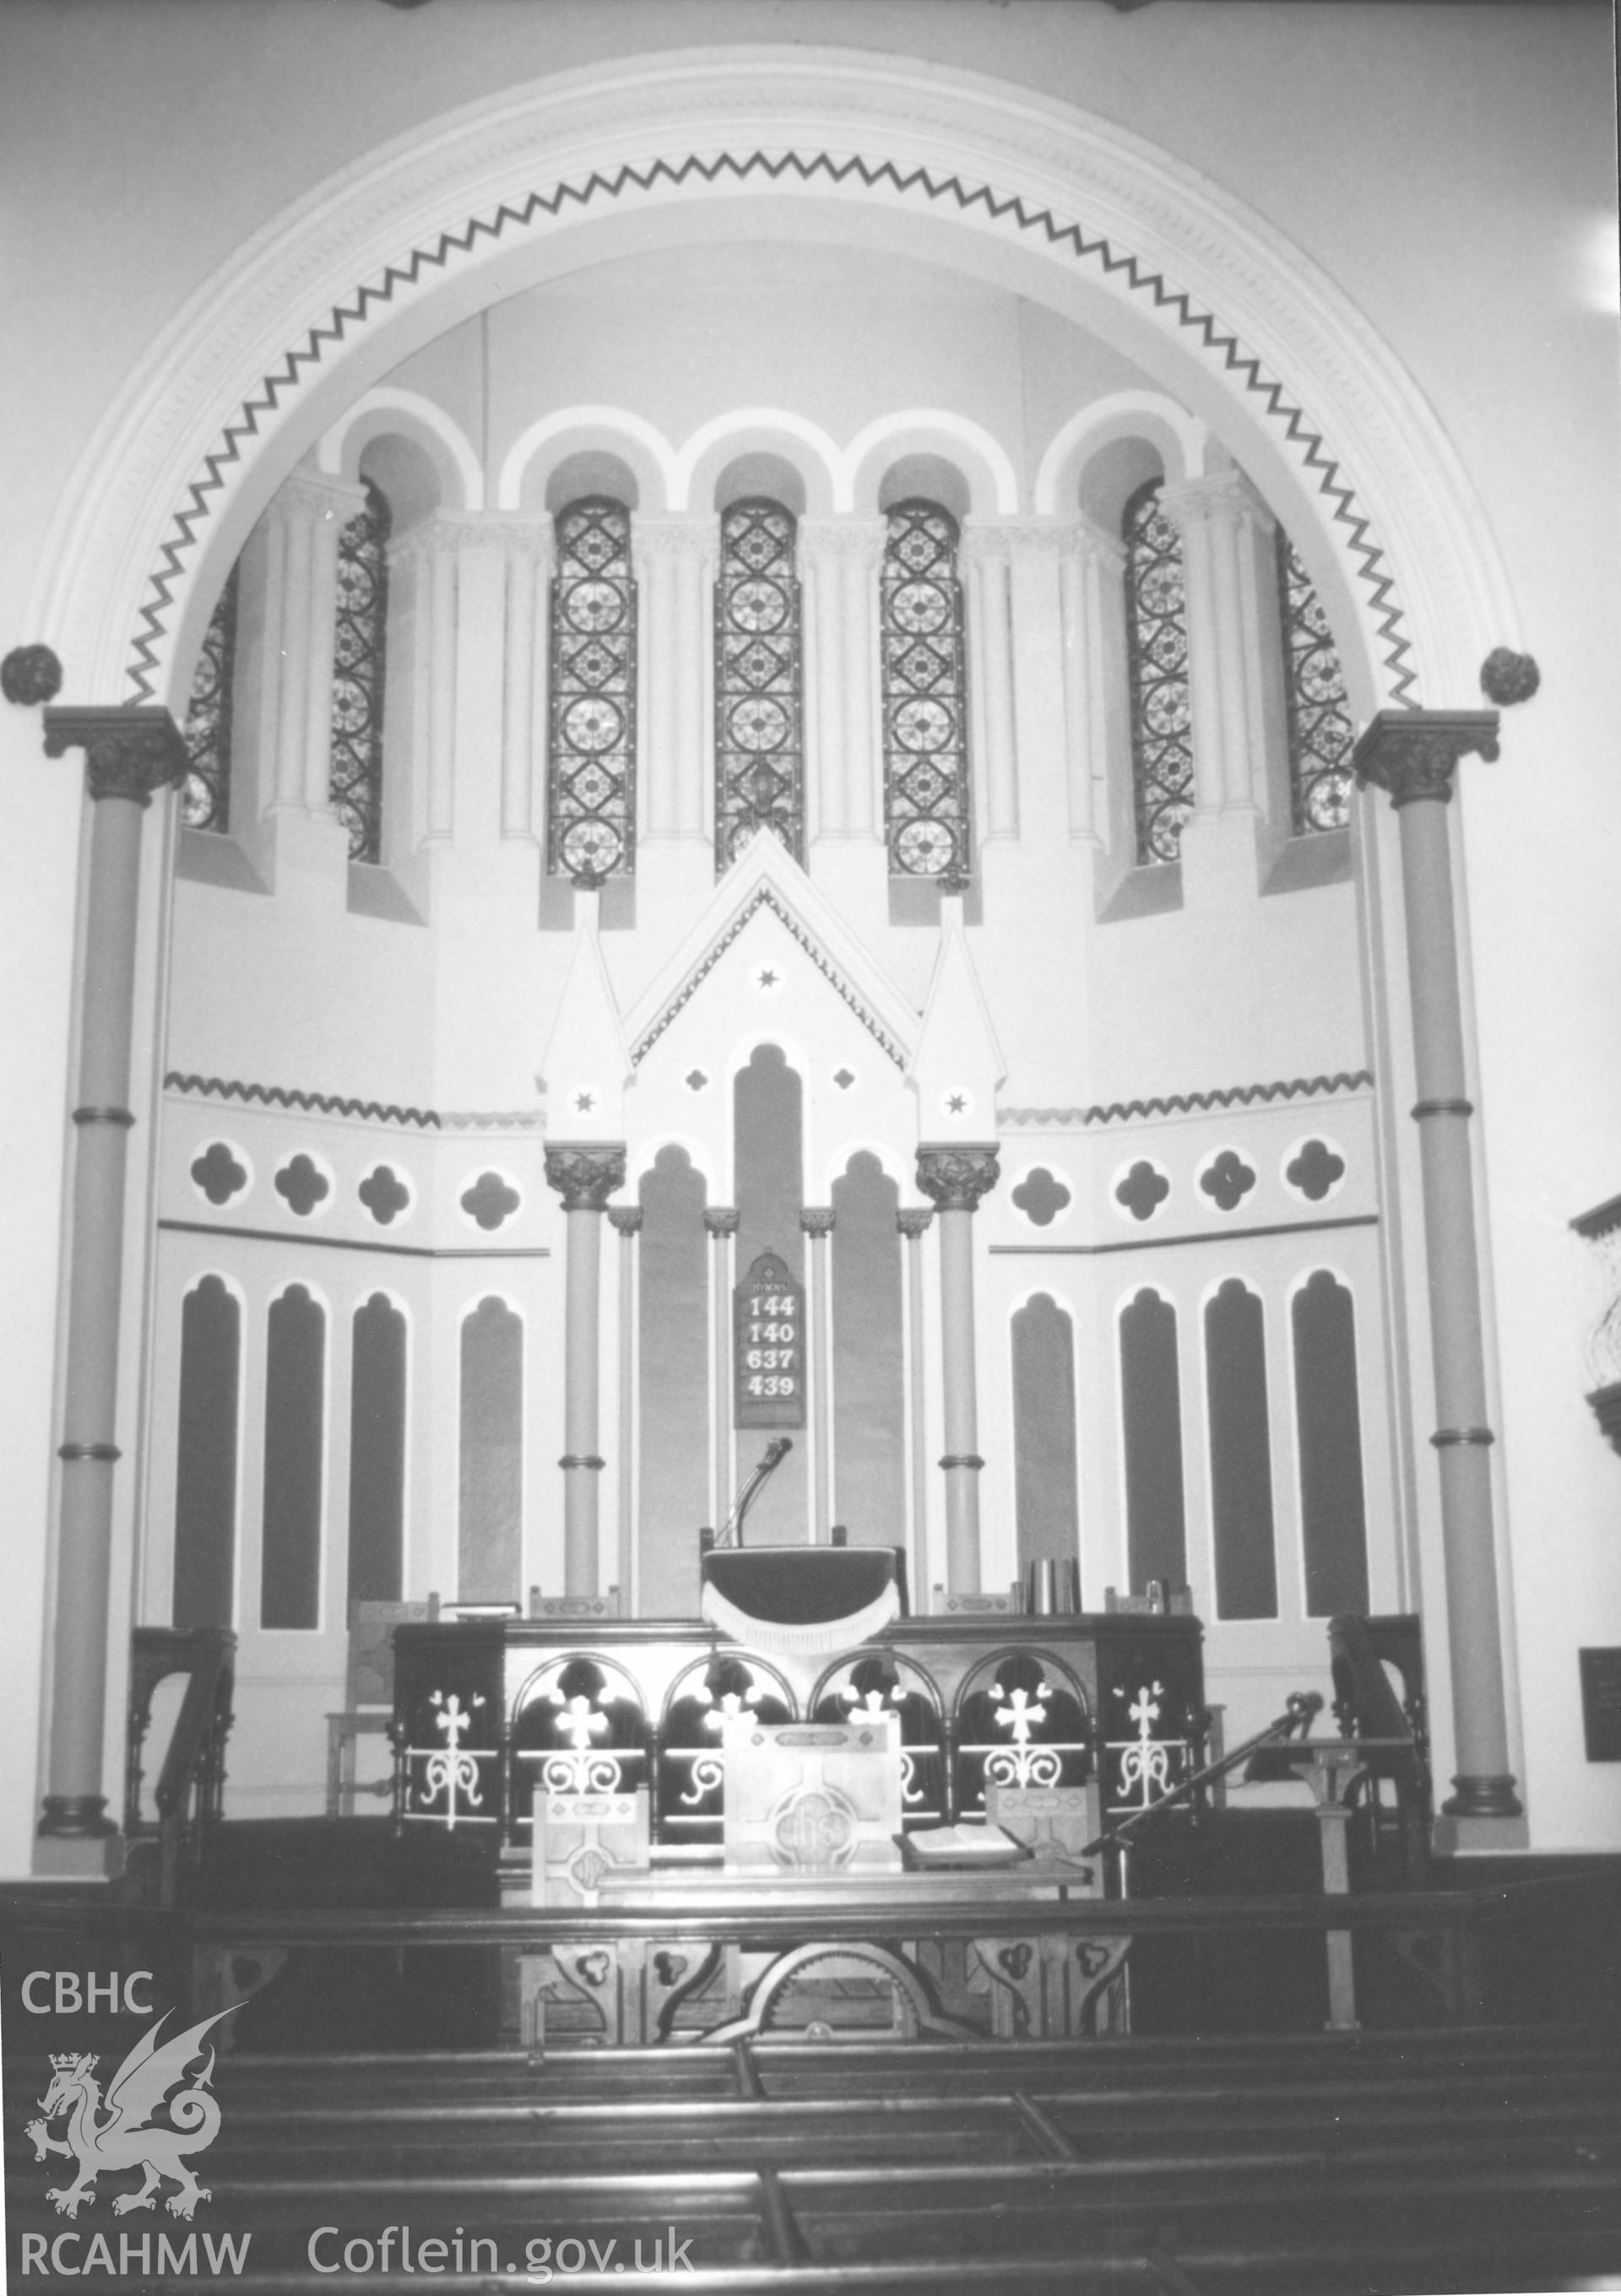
[{"x": 1156, "y": 628}]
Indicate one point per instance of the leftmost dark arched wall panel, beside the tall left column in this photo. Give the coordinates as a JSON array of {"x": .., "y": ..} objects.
[{"x": 205, "y": 1468}]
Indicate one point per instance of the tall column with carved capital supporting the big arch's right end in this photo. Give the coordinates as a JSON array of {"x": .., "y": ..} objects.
[{"x": 1413, "y": 757}]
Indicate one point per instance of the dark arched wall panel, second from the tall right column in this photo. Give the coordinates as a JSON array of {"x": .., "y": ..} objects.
[{"x": 1241, "y": 1455}]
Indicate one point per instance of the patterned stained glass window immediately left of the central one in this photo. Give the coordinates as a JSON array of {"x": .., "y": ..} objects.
[{"x": 591, "y": 825}]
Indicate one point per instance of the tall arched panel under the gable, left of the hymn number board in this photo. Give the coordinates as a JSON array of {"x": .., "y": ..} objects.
[{"x": 674, "y": 1388}]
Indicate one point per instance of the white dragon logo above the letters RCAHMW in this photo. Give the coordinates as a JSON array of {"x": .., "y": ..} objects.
[{"x": 127, "y": 2136}]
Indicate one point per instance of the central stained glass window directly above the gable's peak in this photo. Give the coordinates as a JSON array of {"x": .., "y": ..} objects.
[{"x": 759, "y": 683}]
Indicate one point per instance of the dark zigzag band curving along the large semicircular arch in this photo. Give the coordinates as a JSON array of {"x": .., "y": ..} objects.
[{"x": 295, "y": 366}]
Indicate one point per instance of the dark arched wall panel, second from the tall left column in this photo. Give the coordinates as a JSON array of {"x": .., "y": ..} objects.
[{"x": 295, "y": 1461}]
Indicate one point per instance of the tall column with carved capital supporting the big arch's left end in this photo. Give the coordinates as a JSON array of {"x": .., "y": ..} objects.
[{"x": 127, "y": 757}]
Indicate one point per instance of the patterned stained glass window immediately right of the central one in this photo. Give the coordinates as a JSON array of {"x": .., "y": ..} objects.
[{"x": 926, "y": 738}]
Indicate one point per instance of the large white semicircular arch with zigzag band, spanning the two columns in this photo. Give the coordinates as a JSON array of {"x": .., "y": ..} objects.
[{"x": 334, "y": 293}]
